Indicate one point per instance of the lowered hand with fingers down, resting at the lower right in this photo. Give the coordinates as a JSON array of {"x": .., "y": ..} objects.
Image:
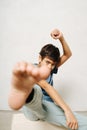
[{"x": 71, "y": 120}]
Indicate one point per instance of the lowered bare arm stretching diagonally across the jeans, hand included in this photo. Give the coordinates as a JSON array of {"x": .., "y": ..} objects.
[{"x": 70, "y": 118}]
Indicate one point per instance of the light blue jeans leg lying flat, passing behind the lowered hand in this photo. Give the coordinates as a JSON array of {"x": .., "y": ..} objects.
[{"x": 56, "y": 116}]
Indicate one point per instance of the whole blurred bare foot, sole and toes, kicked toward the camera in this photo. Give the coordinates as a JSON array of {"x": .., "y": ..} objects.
[{"x": 24, "y": 76}]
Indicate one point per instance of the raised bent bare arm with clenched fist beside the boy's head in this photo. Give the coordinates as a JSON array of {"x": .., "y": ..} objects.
[{"x": 57, "y": 35}]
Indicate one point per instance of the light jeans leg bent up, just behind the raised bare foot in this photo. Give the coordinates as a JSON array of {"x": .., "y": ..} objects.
[{"x": 34, "y": 109}]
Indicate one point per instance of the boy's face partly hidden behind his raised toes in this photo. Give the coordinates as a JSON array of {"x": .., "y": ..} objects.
[{"x": 47, "y": 62}]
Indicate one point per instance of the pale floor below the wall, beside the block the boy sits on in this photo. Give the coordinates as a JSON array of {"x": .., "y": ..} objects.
[{"x": 7, "y": 116}]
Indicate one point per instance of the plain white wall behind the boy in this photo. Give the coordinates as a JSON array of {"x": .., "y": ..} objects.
[{"x": 25, "y": 27}]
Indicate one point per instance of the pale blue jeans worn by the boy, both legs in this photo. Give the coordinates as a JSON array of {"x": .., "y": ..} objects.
[{"x": 45, "y": 110}]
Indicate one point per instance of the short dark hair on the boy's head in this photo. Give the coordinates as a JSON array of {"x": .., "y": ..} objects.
[{"x": 50, "y": 51}]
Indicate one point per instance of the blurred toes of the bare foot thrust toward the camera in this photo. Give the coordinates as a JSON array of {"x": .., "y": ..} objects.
[{"x": 26, "y": 70}]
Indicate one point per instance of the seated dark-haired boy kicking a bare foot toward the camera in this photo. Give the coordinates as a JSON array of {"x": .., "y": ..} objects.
[{"x": 32, "y": 88}]
